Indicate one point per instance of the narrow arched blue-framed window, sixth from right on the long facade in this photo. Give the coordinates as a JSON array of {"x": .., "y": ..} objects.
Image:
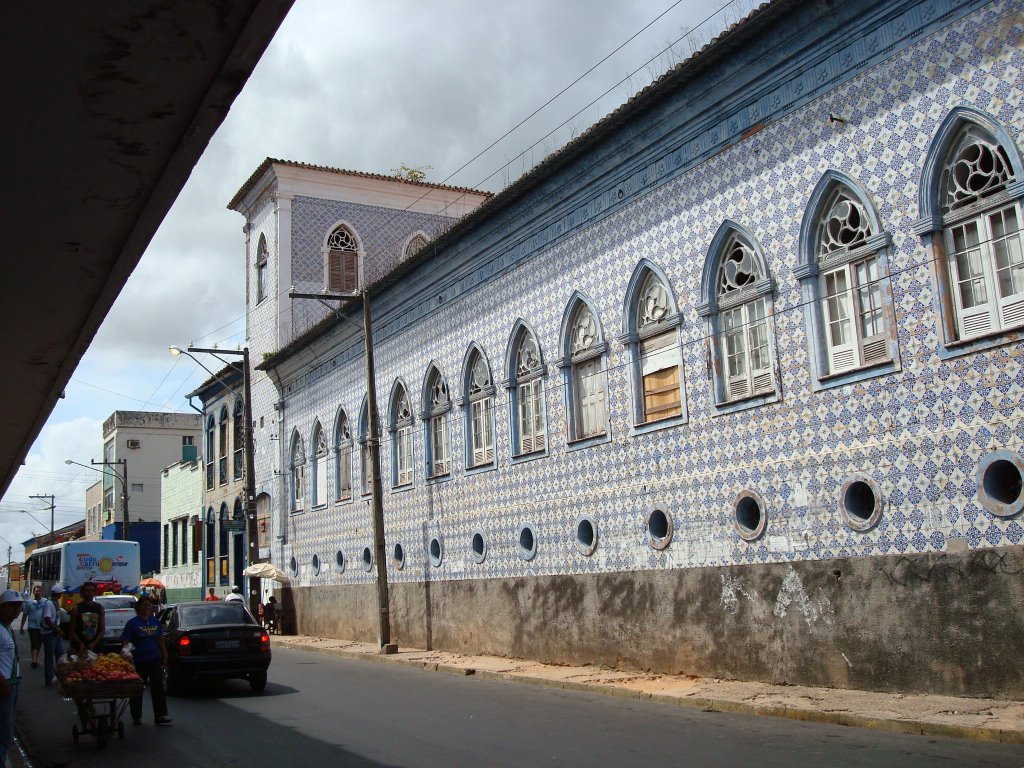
[{"x": 526, "y": 372}]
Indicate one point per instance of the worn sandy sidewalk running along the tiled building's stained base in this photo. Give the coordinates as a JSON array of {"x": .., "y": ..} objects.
[{"x": 984, "y": 719}]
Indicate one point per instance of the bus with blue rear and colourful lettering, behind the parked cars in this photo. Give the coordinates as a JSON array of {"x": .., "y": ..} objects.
[{"x": 114, "y": 566}]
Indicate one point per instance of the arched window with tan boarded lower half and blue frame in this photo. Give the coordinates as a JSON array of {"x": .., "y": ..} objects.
[{"x": 652, "y": 326}]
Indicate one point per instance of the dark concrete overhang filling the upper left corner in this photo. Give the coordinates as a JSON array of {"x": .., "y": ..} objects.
[{"x": 110, "y": 106}]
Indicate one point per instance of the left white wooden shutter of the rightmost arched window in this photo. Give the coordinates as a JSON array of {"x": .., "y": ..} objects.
[{"x": 971, "y": 284}]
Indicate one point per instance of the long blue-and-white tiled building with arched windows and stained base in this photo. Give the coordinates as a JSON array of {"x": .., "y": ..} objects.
[{"x": 731, "y": 386}]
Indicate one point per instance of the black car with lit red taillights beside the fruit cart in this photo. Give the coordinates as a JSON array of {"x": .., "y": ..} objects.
[{"x": 215, "y": 641}]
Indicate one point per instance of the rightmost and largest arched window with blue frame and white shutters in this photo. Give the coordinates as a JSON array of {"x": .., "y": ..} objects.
[{"x": 969, "y": 303}]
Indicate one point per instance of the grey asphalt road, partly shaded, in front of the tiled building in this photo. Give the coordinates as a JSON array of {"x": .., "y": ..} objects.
[{"x": 321, "y": 710}]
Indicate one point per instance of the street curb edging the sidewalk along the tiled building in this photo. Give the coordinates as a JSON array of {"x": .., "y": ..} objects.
[{"x": 915, "y": 728}]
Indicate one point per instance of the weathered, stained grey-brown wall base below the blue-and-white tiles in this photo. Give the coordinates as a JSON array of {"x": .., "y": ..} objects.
[{"x": 946, "y": 623}]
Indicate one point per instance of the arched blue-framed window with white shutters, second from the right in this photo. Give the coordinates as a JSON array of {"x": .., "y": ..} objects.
[{"x": 844, "y": 280}]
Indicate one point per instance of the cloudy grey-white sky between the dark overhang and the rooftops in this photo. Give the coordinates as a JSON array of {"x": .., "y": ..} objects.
[{"x": 344, "y": 84}]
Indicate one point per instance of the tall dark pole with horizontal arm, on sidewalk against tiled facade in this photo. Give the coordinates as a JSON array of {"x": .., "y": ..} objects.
[{"x": 373, "y": 441}]
